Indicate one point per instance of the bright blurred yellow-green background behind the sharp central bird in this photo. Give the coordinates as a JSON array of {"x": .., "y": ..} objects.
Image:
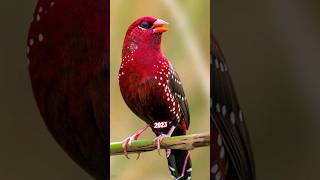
[{"x": 186, "y": 45}]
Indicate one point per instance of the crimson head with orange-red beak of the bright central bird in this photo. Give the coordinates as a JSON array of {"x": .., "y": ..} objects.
[{"x": 145, "y": 32}]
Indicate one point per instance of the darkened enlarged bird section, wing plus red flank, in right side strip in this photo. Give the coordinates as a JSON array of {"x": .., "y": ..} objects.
[{"x": 231, "y": 156}]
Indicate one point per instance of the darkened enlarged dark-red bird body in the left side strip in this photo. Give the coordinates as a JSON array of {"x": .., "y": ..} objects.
[{"x": 68, "y": 52}]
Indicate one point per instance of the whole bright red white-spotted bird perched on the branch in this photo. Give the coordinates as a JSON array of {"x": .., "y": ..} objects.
[{"x": 153, "y": 91}]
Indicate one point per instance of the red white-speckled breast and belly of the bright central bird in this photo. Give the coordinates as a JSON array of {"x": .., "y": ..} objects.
[{"x": 145, "y": 89}]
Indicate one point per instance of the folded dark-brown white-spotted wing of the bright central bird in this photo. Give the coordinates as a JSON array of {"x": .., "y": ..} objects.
[{"x": 176, "y": 88}]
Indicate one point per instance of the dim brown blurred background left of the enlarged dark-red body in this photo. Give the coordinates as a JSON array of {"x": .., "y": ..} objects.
[{"x": 27, "y": 150}]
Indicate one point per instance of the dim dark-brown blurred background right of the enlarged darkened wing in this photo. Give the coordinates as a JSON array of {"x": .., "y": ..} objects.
[{"x": 273, "y": 50}]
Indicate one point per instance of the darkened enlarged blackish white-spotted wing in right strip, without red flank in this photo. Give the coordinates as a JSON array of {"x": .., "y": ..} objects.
[{"x": 227, "y": 116}]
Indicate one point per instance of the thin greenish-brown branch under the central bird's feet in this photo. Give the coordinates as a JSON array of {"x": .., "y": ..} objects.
[{"x": 187, "y": 142}]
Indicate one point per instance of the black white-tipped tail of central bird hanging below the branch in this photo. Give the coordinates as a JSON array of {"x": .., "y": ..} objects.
[{"x": 179, "y": 161}]
